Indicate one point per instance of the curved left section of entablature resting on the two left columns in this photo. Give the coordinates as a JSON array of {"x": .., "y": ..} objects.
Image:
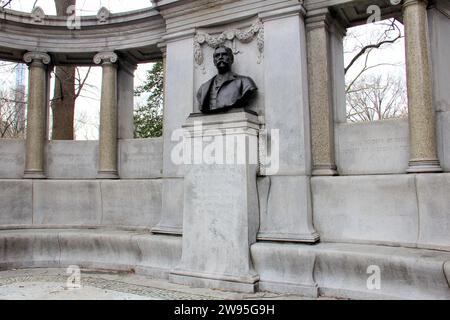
[{"x": 134, "y": 34}]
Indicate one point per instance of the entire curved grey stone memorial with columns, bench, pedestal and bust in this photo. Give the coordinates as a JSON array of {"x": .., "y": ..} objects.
[{"x": 345, "y": 202}]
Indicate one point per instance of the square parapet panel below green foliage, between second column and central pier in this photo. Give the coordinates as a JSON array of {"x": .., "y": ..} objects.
[{"x": 140, "y": 158}]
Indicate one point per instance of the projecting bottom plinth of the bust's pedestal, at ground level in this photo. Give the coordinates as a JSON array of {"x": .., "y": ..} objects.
[{"x": 246, "y": 284}]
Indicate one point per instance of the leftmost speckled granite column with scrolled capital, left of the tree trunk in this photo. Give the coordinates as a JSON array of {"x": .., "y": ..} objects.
[{"x": 36, "y": 114}]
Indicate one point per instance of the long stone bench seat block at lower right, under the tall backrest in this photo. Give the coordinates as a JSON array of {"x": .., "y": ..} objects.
[{"x": 345, "y": 270}]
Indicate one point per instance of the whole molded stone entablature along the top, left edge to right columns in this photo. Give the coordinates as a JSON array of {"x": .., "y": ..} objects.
[{"x": 137, "y": 33}]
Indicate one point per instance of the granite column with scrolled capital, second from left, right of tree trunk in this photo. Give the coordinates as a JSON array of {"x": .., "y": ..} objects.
[{"x": 108, "y": 116}]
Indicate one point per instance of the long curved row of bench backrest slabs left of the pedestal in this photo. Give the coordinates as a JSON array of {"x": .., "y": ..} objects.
[{"x": 80, "y": 204}]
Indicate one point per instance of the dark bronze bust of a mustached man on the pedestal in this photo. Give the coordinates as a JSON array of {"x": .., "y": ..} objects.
[{"x": 227, "y": 89}]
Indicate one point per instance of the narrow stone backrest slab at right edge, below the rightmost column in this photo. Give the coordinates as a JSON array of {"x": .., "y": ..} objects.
[{"x": 434, "y": 204}]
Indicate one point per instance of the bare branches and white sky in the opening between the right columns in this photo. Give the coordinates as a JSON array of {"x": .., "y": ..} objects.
[{"x": 370, "y": 95}]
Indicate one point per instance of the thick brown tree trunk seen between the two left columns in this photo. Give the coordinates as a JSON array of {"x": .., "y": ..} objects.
[{"x": 63, "y": 102}]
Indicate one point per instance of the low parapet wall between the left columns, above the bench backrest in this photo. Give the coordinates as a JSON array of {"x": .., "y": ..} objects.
[{"x": 138, "y": 159}]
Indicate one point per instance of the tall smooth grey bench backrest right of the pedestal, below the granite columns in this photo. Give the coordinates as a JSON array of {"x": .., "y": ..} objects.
[{"x": 401, "y": 210}]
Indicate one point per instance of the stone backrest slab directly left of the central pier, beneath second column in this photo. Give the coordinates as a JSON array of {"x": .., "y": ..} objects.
[{"x": 132, "y": 203}]
